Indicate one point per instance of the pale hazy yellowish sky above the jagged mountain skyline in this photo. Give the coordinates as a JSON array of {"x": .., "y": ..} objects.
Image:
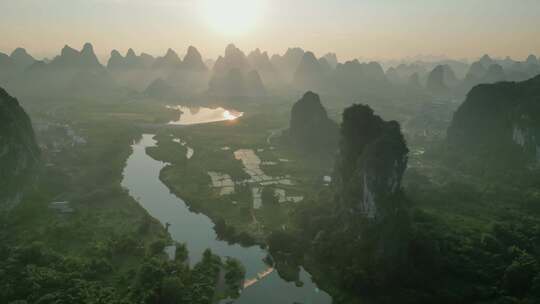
[{"x": 351, "y": 28}]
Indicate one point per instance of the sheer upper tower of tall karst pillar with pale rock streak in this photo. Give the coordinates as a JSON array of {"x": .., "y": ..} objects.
[{"x": 372, "y": 160}]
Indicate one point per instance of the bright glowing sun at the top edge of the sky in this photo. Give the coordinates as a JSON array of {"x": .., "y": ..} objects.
[{"x": 232, "y": 17}]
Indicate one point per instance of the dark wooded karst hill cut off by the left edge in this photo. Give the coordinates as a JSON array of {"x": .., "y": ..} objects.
[{"x": 18, "y": 149}]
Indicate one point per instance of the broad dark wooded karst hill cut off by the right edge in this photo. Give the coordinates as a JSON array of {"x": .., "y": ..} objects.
[{"x": 503, "y": 118}]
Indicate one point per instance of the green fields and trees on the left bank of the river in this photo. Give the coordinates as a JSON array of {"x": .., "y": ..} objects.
[{"x": 79, "y": 237}]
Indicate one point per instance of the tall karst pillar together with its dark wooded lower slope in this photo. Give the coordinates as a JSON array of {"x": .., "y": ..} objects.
[{"x": 364, "y": 231}]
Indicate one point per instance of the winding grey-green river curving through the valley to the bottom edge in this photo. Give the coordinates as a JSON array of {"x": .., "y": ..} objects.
[{"x": 263, "y": 285}]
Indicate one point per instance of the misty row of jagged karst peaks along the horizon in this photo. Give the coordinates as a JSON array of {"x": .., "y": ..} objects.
[{"x": 79, "y": 73}]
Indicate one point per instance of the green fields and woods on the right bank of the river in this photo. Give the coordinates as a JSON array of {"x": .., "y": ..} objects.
[{"x": 471, "y": 238}]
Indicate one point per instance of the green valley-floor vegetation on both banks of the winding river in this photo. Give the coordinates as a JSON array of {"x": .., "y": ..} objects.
[{"x": 473, "y": 233}]
